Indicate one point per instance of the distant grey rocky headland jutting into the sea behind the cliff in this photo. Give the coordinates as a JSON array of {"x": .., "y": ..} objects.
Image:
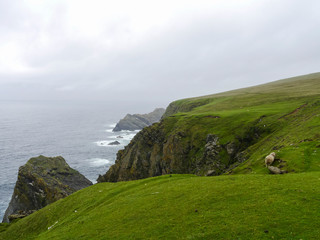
[{"x": 139, "y": 121}]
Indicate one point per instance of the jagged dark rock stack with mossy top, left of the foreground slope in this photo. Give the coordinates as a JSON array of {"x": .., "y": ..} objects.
[{"x": 41, "y": 181}]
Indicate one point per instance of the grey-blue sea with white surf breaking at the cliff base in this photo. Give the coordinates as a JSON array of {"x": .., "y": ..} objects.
[{"x": 79, "y": 132}]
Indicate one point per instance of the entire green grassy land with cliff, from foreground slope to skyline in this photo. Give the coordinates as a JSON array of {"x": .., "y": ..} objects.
[{"x": 245, "y": 202}]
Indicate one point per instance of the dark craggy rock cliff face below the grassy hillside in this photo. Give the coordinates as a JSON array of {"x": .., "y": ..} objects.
[{"x": 156, "y": 151}]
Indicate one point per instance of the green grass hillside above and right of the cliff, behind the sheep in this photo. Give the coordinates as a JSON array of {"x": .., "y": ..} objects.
[{"x": 272, "y": 109}]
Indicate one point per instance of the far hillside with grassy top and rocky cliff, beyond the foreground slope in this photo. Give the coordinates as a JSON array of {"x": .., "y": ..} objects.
[{"x": 230, "y": 132}]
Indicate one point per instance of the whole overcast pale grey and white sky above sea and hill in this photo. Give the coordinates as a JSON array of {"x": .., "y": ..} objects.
[{"x": 152, "y": 51}]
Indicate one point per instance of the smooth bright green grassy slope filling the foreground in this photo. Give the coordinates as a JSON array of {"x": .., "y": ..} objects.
[{"x": 183, "y": 207}]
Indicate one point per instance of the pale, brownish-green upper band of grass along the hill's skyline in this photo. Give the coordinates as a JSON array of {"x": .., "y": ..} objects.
[{"x": 291, "y": 88}]
